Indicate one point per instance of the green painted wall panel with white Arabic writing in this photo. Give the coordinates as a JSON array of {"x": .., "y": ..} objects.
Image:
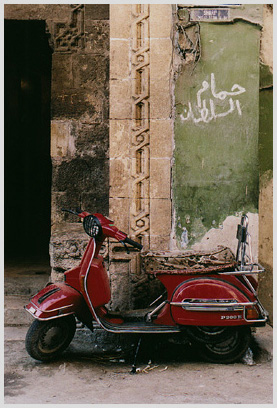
[{"x": 215, "y": 171}]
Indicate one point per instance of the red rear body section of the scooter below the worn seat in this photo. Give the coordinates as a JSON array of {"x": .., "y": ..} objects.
[{"x": 189, "y": 293}]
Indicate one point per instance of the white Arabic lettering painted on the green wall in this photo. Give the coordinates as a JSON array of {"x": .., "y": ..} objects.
[{"x": 206, "y": 111}]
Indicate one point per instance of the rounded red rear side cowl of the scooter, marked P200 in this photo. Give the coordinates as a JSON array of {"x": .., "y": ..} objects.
[{"x": 208, "y": 288}]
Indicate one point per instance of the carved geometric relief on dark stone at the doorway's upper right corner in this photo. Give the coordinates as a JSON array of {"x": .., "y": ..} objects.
[{"x": 69, "y": 36}]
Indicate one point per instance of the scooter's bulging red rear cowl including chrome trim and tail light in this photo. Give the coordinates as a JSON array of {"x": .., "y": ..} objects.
[{"x": 213, "y": 301}]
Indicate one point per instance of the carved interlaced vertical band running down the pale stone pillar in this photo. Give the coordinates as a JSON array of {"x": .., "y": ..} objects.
[{"x": 140, "y": 206}]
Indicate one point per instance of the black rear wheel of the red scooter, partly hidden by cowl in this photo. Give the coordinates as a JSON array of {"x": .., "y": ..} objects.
[{"x": 230, "y": 350}]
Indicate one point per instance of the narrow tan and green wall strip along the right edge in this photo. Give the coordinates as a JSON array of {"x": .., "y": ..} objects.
[{"x": 266, "y": 161}]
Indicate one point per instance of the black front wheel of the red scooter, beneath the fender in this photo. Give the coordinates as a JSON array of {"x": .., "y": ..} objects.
[{"x": 45, "y": 340}]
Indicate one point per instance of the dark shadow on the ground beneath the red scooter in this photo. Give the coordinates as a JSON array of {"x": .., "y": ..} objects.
[{"x": 157, "y": 349}]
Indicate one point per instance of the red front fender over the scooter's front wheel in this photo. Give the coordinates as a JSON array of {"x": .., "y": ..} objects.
[{"x": 56, "y": 300}]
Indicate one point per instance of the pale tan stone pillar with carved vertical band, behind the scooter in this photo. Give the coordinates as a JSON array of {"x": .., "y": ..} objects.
[{"x": 140, "y": 139}]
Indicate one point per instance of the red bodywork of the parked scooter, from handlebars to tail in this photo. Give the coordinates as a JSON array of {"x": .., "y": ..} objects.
[{"x": 222, "y": 299}]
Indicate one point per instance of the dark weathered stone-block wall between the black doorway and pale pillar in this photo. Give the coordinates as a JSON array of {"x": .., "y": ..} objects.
[{"x": 79, "y": 37}]
